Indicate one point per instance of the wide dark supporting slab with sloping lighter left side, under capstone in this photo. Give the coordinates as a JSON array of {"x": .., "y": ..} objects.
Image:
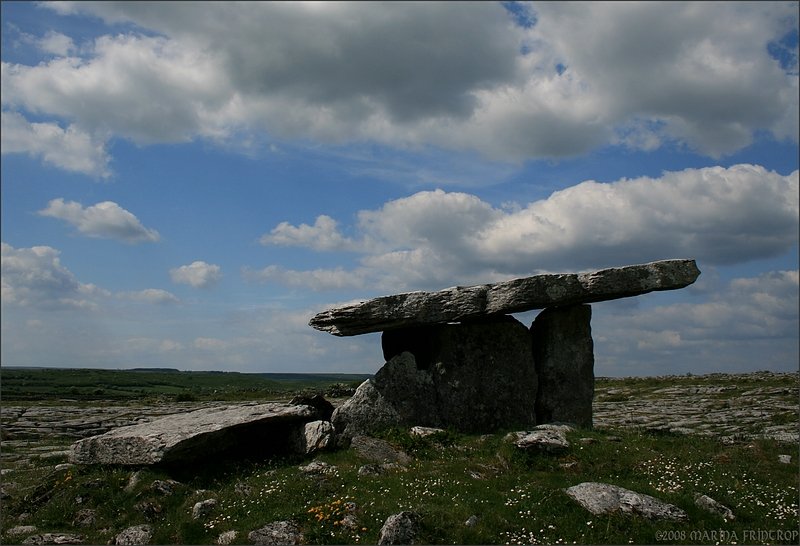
[{"x": 473, "y": 377}]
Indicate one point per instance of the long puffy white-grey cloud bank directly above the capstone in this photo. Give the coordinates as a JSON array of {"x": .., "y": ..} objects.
[{"x": 719, "y": 216}]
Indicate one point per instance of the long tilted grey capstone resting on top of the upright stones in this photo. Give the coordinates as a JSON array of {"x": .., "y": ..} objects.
[{"x": 460, "y": 304}]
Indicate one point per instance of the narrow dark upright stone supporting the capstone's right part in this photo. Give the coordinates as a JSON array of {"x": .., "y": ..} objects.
[{"x": 564, "y": 358}]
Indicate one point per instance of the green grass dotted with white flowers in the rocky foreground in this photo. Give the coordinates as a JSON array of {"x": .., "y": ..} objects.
[{"x": 516, "y": 497}]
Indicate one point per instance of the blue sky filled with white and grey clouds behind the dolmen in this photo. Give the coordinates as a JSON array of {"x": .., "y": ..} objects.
[{"x": 186, "y": 184}]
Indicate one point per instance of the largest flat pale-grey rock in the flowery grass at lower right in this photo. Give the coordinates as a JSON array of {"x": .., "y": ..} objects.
[{"x": 601, "y": 498}]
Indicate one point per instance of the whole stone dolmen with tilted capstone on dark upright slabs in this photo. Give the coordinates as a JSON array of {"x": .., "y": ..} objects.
[{"x": 457, "y": 359}]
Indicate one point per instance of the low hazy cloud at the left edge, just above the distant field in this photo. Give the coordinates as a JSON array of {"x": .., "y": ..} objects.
[{"x": 34, "y": 277}]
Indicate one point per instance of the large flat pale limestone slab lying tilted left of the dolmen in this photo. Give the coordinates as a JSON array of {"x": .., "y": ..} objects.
[{"x": 194, "y": 435}]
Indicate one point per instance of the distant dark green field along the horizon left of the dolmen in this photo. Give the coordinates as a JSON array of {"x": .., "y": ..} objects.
[{"x": 92, "y": 384}]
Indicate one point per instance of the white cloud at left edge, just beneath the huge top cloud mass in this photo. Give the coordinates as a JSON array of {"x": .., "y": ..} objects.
[{"x": 71, "y": 149}]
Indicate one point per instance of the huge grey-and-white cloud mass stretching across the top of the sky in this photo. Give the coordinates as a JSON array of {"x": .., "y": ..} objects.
[{"x": 460, "y": 76}]
